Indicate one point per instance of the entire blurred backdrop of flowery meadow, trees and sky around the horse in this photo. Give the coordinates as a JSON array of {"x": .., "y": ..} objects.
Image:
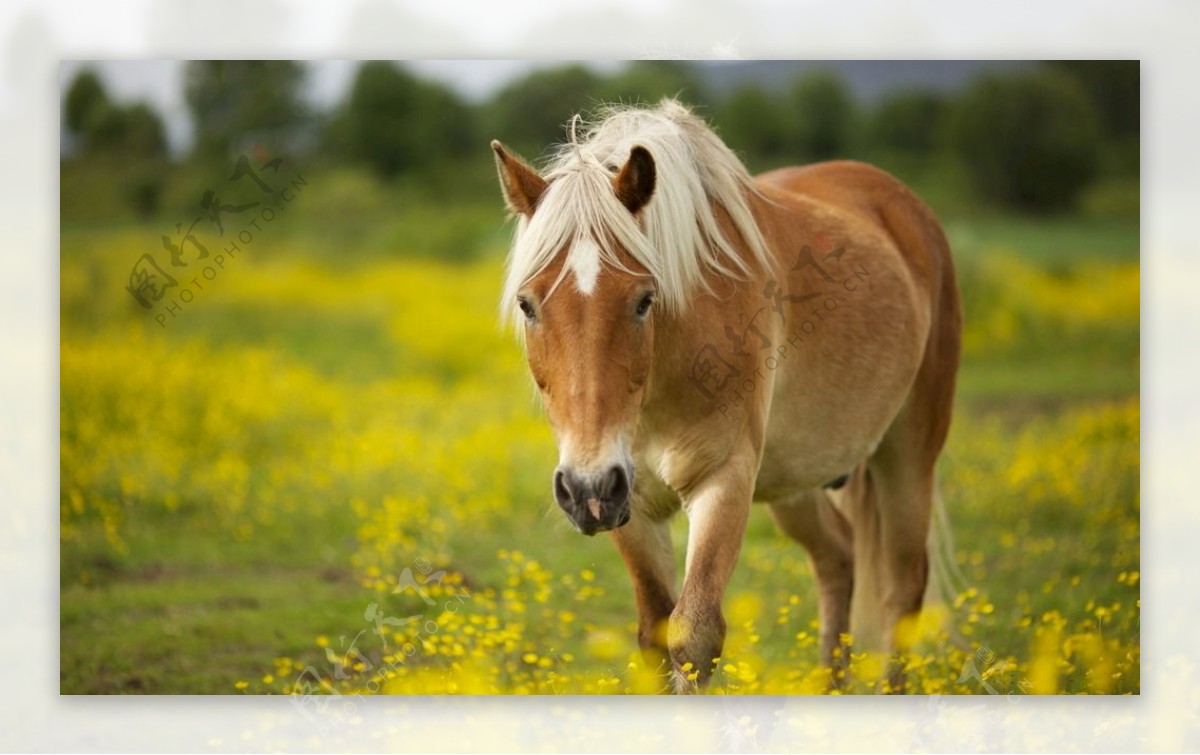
[{"x": 251, "y": 459}]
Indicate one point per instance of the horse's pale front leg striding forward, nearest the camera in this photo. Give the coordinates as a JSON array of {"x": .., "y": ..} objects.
[{"x": 717, "y": 512}]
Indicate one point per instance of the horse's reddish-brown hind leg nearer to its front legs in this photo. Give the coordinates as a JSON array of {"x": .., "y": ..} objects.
[{"x": 812, "y": 520}]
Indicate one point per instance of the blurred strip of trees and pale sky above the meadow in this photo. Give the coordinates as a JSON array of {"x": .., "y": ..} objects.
[{"x": 973, "y": 136}]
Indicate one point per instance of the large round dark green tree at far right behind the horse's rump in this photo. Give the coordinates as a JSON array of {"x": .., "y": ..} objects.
[{"x": 1029, "y": 140}]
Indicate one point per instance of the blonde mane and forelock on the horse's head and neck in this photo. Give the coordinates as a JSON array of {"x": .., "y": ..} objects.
[{"x": 676, "y": 237}]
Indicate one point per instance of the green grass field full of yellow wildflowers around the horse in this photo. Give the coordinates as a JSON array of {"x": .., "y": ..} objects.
[{"x": 329, "y": 472}]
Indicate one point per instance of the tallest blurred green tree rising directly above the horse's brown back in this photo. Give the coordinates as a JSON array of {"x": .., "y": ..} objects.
[{"x": 824, "y": 116}]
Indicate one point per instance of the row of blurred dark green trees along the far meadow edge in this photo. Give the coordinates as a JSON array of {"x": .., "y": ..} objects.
[{"x": 1030, "y": 139}]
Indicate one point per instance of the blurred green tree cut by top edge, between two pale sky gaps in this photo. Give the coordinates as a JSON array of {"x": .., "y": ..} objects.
[{"x": 236, "y": 103}]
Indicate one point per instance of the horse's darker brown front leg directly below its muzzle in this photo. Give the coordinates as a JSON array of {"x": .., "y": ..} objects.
[{"x": 650, "y": 558}]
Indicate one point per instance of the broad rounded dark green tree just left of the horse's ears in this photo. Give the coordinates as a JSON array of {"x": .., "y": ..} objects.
[{"x": 399, "y": 123}]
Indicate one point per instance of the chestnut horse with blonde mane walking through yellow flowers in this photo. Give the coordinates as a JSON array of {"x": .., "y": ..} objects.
[{"x": 703, "y": 339}]
